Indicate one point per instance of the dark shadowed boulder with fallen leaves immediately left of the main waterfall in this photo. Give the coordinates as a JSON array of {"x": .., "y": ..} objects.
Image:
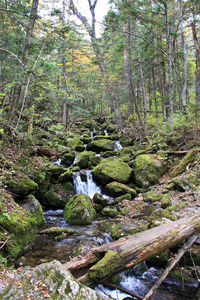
[{"x": 59, "y": 194}]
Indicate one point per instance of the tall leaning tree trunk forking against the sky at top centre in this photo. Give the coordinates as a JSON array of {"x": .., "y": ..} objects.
[{"x": 91, "y": 31}]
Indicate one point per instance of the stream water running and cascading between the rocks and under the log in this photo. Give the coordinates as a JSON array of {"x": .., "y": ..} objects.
[{"x": 138, "y": 280}]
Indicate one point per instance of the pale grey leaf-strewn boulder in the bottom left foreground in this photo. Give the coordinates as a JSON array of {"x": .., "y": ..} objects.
[{"x": 49, "y": 281}]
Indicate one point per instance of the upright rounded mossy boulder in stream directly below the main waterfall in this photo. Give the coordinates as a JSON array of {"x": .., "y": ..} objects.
[{"x": 79, "y": 210}]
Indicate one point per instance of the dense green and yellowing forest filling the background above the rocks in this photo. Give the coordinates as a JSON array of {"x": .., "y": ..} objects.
[{"x": 143, "y": 69}]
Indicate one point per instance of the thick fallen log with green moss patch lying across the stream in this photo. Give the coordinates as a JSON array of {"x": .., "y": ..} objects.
[{"x": 103, "y": 262}]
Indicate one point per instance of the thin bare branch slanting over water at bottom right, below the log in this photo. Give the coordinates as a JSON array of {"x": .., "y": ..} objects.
[{"x": 170, "y": 267}]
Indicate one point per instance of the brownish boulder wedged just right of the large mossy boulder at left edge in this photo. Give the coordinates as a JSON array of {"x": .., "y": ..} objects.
[{"x": 32, "y": 205}]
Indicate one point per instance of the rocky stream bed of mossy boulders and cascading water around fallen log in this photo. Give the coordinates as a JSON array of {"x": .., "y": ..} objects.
[{"x": 96, "y": 186}]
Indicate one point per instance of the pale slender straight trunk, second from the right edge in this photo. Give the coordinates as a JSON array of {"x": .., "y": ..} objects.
[{"x": 184, "y": 90}]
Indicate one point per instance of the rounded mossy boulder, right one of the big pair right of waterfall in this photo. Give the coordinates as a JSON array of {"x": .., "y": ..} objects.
[{"x": 148, "y": 169}]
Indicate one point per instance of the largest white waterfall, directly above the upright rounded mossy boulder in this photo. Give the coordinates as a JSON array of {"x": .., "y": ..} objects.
[{"x": 85, "y": 184}]
